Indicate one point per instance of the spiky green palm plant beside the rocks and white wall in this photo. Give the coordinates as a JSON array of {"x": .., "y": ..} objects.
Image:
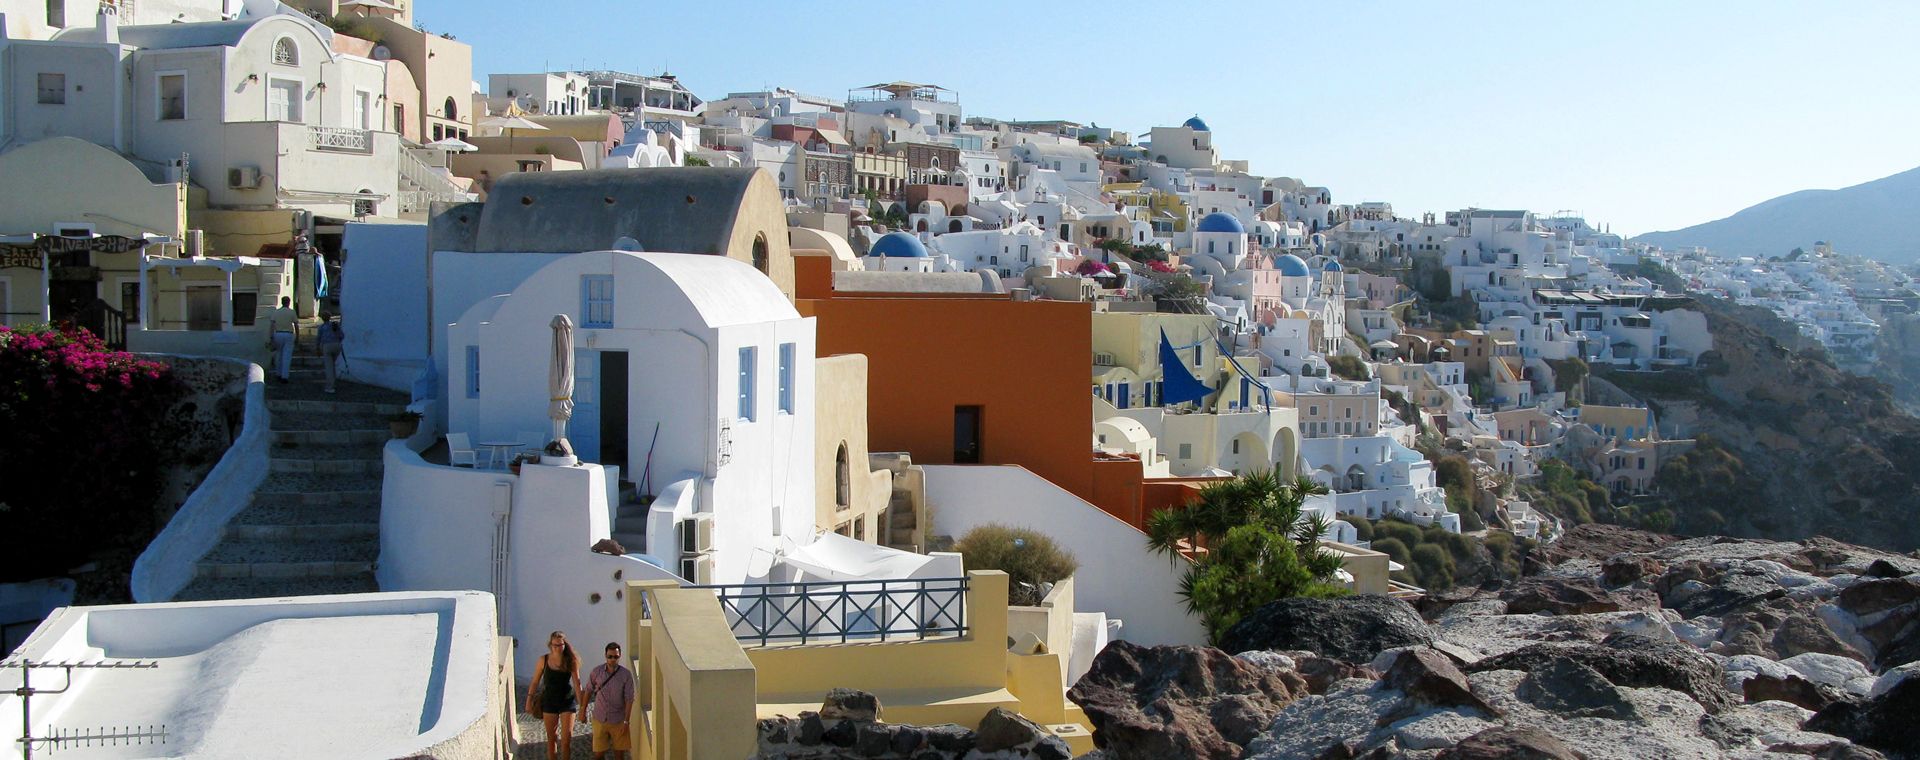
[{"x": 1251, "y": 546}]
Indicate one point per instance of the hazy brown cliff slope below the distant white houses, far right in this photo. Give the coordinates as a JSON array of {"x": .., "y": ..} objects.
[{"x": 1817, "y": 452}]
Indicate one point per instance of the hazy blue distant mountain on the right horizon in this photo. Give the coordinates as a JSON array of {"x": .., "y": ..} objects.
[{"x": 1873, "y": 220}]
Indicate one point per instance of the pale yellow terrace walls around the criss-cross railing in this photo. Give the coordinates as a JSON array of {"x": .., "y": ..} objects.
[{"x": 704, "y": 690}]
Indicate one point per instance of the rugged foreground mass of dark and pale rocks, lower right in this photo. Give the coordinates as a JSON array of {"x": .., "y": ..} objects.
[{"x": 1618, "y": 646}]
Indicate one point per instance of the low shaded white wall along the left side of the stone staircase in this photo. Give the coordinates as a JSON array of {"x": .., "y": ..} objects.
[{"x": 168, "y": 563}]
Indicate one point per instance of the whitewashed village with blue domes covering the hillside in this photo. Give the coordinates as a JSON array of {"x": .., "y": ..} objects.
[{"x": 746, "y": 383}]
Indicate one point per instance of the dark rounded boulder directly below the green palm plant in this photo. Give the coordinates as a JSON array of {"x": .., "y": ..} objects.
[{"x": 1349, "y": 629}]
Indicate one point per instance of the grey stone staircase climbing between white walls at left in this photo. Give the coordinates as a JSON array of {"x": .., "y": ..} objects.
[{"x": 314, "y": 527}]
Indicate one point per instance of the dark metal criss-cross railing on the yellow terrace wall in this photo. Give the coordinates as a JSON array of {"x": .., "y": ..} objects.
[{"x": 844, "y": 611}]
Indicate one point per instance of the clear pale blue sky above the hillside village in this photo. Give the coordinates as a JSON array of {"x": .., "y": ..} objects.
[{"x": 1641, "y": 114}]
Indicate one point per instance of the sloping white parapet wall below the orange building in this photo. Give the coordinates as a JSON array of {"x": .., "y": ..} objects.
[{"x": 1116, "y": 573}]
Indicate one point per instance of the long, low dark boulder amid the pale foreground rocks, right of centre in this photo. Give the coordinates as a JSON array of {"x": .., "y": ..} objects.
[{"x": 1631, "y": 661}]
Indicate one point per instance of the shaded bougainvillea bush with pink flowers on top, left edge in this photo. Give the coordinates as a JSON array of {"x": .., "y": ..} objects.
[{"x": 84, "y": 450}]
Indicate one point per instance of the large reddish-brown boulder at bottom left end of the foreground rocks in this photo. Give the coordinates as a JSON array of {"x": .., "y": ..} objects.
[{"x": 1180, "y": 701}]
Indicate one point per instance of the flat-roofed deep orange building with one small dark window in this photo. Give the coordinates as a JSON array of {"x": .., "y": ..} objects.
[{"x": 967, "y": 379}]
